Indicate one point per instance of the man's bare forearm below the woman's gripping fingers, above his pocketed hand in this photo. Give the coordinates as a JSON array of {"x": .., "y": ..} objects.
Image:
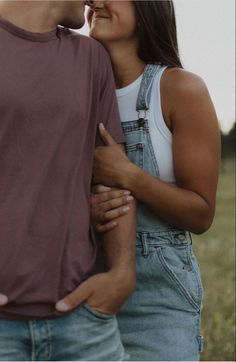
[{"x": 119, "y": 244}]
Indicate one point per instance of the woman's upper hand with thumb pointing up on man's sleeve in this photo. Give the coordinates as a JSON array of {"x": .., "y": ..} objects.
[{"x": 110, "y": 162}]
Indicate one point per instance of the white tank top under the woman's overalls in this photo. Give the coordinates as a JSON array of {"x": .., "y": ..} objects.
[{"x": 161, "y": 137}]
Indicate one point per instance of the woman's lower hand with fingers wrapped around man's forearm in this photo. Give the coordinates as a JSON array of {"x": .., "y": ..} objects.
[{"x": 107, "y": 205}]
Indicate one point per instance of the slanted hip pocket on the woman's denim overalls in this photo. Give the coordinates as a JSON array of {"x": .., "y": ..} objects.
[{"x": 177, "y": 264}]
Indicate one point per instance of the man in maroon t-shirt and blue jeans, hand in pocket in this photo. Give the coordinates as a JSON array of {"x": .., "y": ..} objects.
[{"x": 56, "y": 87}]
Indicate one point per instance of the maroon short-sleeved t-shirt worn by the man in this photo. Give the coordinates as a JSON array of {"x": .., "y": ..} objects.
[{"x": 55, "y": 88}]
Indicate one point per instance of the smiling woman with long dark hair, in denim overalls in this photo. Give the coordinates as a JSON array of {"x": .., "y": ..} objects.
[{"x": 171, "y": 168}]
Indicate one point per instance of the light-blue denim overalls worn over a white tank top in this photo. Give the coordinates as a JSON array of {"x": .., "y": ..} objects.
[{"x": 161, "y": 320}]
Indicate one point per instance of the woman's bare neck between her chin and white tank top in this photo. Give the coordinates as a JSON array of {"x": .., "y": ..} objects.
[{"x": 127, "y": 66}]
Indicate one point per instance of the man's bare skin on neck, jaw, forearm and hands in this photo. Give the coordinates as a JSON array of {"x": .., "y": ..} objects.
[{"x": 105, "y": 292}]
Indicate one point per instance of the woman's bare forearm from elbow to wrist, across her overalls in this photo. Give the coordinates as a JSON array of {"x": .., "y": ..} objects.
[{"x": 179, "y": 207}]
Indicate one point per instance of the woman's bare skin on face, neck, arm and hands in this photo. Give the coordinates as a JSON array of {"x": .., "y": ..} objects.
[{"x": 189, "y": 114}]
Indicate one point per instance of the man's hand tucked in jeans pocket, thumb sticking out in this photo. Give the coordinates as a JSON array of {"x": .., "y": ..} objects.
[{"x": 104, "y": 292}]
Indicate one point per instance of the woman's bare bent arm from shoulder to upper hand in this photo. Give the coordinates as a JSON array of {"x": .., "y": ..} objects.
[{"x": 190, "y": 114}]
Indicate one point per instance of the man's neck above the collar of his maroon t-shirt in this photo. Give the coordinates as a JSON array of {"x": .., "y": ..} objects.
[{"x": 33, "y": 16}]
